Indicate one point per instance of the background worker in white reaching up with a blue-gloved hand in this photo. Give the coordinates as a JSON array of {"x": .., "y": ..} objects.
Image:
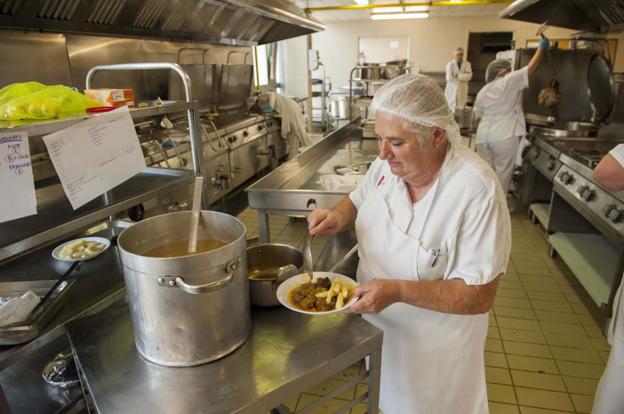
[{"x": 499, "y": 106}]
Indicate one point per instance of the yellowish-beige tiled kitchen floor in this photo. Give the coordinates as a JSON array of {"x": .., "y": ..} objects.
[{"x": 544, "y": 353}]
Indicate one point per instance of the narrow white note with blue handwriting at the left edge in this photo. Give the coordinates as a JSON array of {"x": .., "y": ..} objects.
[{"x": 17, "y": 188}]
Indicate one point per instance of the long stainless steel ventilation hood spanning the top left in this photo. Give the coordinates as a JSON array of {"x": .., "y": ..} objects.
[{"x": 233, "y": 22}]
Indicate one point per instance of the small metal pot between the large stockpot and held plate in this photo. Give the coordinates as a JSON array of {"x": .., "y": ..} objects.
[{"x": 268, "y": 266}]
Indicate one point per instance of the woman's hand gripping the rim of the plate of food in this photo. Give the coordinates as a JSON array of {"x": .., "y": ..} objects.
[{"x": 375, "y": 296}]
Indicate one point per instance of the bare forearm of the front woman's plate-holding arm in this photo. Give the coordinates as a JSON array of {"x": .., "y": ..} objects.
[{"x": 448, "y": 296}]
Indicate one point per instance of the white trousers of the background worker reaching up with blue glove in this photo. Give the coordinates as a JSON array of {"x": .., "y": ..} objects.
[{"x": 501, "y": 156}]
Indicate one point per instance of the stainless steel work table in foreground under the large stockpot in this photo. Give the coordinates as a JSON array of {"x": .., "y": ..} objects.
[{"x": 287, "y": 353}]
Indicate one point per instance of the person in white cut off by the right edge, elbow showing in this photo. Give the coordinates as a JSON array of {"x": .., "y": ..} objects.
[{"x": 609, "y": 397}]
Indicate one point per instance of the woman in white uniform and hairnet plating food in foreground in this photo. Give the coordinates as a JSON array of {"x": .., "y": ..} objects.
[{"x": 434, "y": 236}]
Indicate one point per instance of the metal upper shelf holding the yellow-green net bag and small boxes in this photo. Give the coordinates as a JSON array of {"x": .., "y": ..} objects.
[{"x": 37, "y": 128}]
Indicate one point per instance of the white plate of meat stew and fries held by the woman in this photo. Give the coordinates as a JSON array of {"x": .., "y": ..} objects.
[{"x": 326, "y": 293}]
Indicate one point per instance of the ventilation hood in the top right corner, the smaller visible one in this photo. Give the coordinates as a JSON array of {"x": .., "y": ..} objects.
[{"x": 598, "y": 16}]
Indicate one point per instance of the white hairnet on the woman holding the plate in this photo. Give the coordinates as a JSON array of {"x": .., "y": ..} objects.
[{"x": 418, "y": 99}]
